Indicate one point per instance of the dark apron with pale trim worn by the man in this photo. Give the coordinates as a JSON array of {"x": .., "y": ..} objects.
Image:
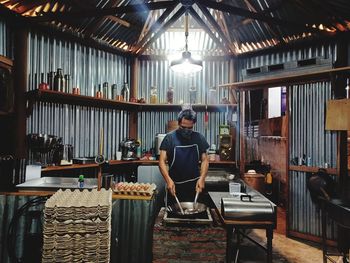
[{"x": 184, "y": 172}]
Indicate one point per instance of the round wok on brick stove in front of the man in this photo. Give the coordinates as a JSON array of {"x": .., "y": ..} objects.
[{"x": 190, "y": 211}]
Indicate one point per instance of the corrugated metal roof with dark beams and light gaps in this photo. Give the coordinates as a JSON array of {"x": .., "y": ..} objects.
[{"x": 218, "y": 28}]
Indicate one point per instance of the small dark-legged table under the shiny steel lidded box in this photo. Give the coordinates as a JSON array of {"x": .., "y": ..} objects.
[{"x": 234, "y": 226}]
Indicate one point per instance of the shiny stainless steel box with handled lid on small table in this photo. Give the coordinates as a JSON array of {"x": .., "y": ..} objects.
[{"x": 248, "y": 207}]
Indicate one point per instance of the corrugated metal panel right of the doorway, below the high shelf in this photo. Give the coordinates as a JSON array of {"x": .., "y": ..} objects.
[{"x": 308, "y": 137}]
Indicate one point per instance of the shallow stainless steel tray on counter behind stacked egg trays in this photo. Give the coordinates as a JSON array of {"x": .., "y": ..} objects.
[{"x": 54, "y": 183}]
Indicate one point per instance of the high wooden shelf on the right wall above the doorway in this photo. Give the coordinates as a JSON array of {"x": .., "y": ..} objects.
[{"x": 291, "y": 78}]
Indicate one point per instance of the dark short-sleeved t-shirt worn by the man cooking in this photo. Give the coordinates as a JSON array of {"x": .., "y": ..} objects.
[{"x": 168, "y": 144}]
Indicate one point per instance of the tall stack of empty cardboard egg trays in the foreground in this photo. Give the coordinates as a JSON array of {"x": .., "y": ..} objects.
[{"x": 77, "y": 226}]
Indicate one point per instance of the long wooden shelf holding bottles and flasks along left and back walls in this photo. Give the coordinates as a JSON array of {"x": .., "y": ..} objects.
[{"x": 88, "y": 101}]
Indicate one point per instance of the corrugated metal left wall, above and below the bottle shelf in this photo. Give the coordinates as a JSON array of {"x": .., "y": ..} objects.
[{"x": 89, "y": 68}]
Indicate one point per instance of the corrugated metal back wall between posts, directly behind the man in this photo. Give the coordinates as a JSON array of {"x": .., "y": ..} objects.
[{"x": 157, "y": 73}]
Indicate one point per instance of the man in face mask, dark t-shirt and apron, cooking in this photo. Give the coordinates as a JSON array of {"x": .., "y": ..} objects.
[{"x": 182, "y": 149}]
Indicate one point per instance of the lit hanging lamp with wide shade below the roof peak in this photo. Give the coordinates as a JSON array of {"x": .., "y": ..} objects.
[{"x": 186, "y": 64}]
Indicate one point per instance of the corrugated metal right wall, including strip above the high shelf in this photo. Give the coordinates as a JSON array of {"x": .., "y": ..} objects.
[{"x": 307, "y": 134}]
